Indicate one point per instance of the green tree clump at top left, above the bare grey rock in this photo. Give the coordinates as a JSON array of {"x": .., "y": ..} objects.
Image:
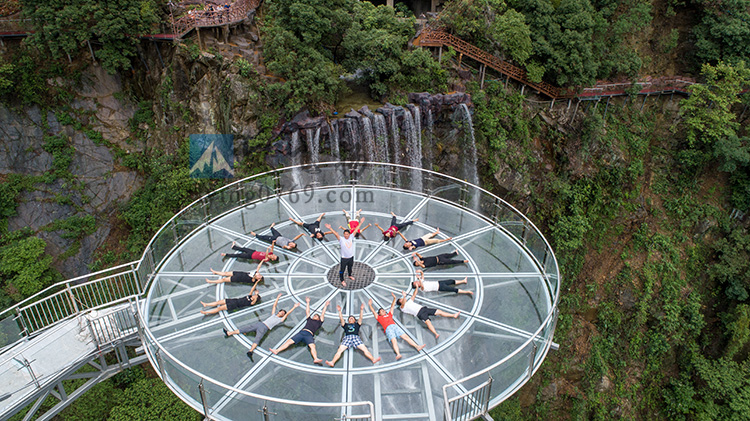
[{"x": 64, "y": 26}]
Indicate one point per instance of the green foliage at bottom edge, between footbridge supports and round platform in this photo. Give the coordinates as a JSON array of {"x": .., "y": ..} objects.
[{"x": 148, "y": 400}]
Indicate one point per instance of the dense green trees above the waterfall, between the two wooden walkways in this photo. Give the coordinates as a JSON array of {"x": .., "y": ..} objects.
[{"x": 310, "y": 44}]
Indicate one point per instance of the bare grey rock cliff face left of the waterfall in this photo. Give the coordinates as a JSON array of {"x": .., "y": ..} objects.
[{"x": 97, "y": 185}]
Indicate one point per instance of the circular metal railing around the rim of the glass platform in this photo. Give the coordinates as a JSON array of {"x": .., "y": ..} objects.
[{"x": 525, "y": 360}]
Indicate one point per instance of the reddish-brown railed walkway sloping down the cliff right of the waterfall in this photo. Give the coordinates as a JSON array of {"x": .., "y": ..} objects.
[{"x": 438, "y": 38}]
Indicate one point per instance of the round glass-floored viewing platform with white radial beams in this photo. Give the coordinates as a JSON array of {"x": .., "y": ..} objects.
[{"x": 504, "y": 329}]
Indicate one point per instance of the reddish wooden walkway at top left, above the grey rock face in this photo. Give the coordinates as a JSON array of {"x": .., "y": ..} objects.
[{"x": 178, "y": 27}]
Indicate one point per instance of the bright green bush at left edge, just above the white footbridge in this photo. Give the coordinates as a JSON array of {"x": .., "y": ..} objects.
[{"x": 25, "y": 267}]
